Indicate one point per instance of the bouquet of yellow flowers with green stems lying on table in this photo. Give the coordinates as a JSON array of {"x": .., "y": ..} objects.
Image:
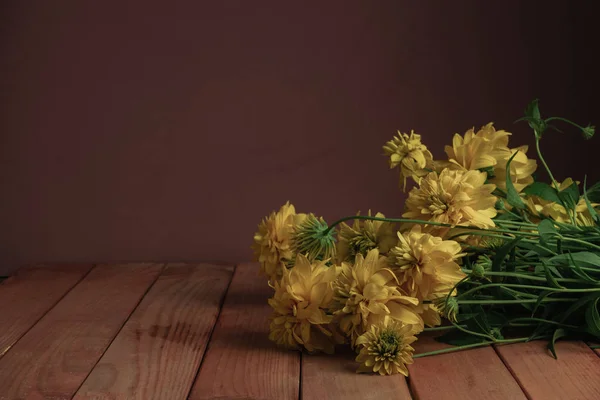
[{"x": 483, "y": 252}]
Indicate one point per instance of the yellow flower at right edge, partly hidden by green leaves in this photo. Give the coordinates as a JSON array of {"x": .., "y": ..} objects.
[{"x": 545, "y": 208}]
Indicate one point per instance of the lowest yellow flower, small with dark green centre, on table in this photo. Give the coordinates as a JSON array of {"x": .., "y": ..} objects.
[{"x": 386, "y": 348}]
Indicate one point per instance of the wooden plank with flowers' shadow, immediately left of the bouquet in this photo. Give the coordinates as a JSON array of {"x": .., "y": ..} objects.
[{"x": 241, "y": 362}]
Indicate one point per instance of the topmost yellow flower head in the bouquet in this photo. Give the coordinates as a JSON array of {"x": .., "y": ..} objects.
[{"x": 479, "y": 150}]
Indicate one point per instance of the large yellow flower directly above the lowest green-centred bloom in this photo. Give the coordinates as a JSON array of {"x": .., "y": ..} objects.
[{"x": 366, "y": 292}]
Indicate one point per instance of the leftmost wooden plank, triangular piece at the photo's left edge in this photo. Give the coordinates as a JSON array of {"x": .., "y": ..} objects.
[{"x": 27, "y": 295}]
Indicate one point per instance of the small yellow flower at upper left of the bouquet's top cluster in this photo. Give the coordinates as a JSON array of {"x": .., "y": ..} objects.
[{"x": 410, "y": 154}]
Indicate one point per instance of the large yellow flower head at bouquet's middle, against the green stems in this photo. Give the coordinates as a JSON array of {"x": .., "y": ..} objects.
[{"x": 424, "y": 263}]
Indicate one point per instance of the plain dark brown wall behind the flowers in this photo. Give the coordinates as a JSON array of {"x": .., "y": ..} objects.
[{"x": 157, "y": 130}]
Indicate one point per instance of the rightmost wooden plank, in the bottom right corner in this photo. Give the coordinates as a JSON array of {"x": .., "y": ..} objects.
[{"x": 575, "y": 375}]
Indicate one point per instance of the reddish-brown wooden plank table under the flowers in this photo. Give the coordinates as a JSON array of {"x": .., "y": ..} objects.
[{"x": 199, "y": 331}]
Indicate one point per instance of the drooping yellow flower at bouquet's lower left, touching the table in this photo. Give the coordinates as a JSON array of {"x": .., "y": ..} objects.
[{"x": 300, "y": 302}]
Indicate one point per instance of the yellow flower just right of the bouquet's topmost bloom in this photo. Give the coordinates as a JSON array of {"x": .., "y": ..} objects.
[{"x": 521, "y": 169}]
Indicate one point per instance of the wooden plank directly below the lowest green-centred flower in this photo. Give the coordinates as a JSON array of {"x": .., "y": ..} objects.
[{"x": 334, "y": 377}]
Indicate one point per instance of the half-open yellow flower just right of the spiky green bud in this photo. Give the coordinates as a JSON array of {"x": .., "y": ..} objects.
[{"x": 365, "y": 235}]
